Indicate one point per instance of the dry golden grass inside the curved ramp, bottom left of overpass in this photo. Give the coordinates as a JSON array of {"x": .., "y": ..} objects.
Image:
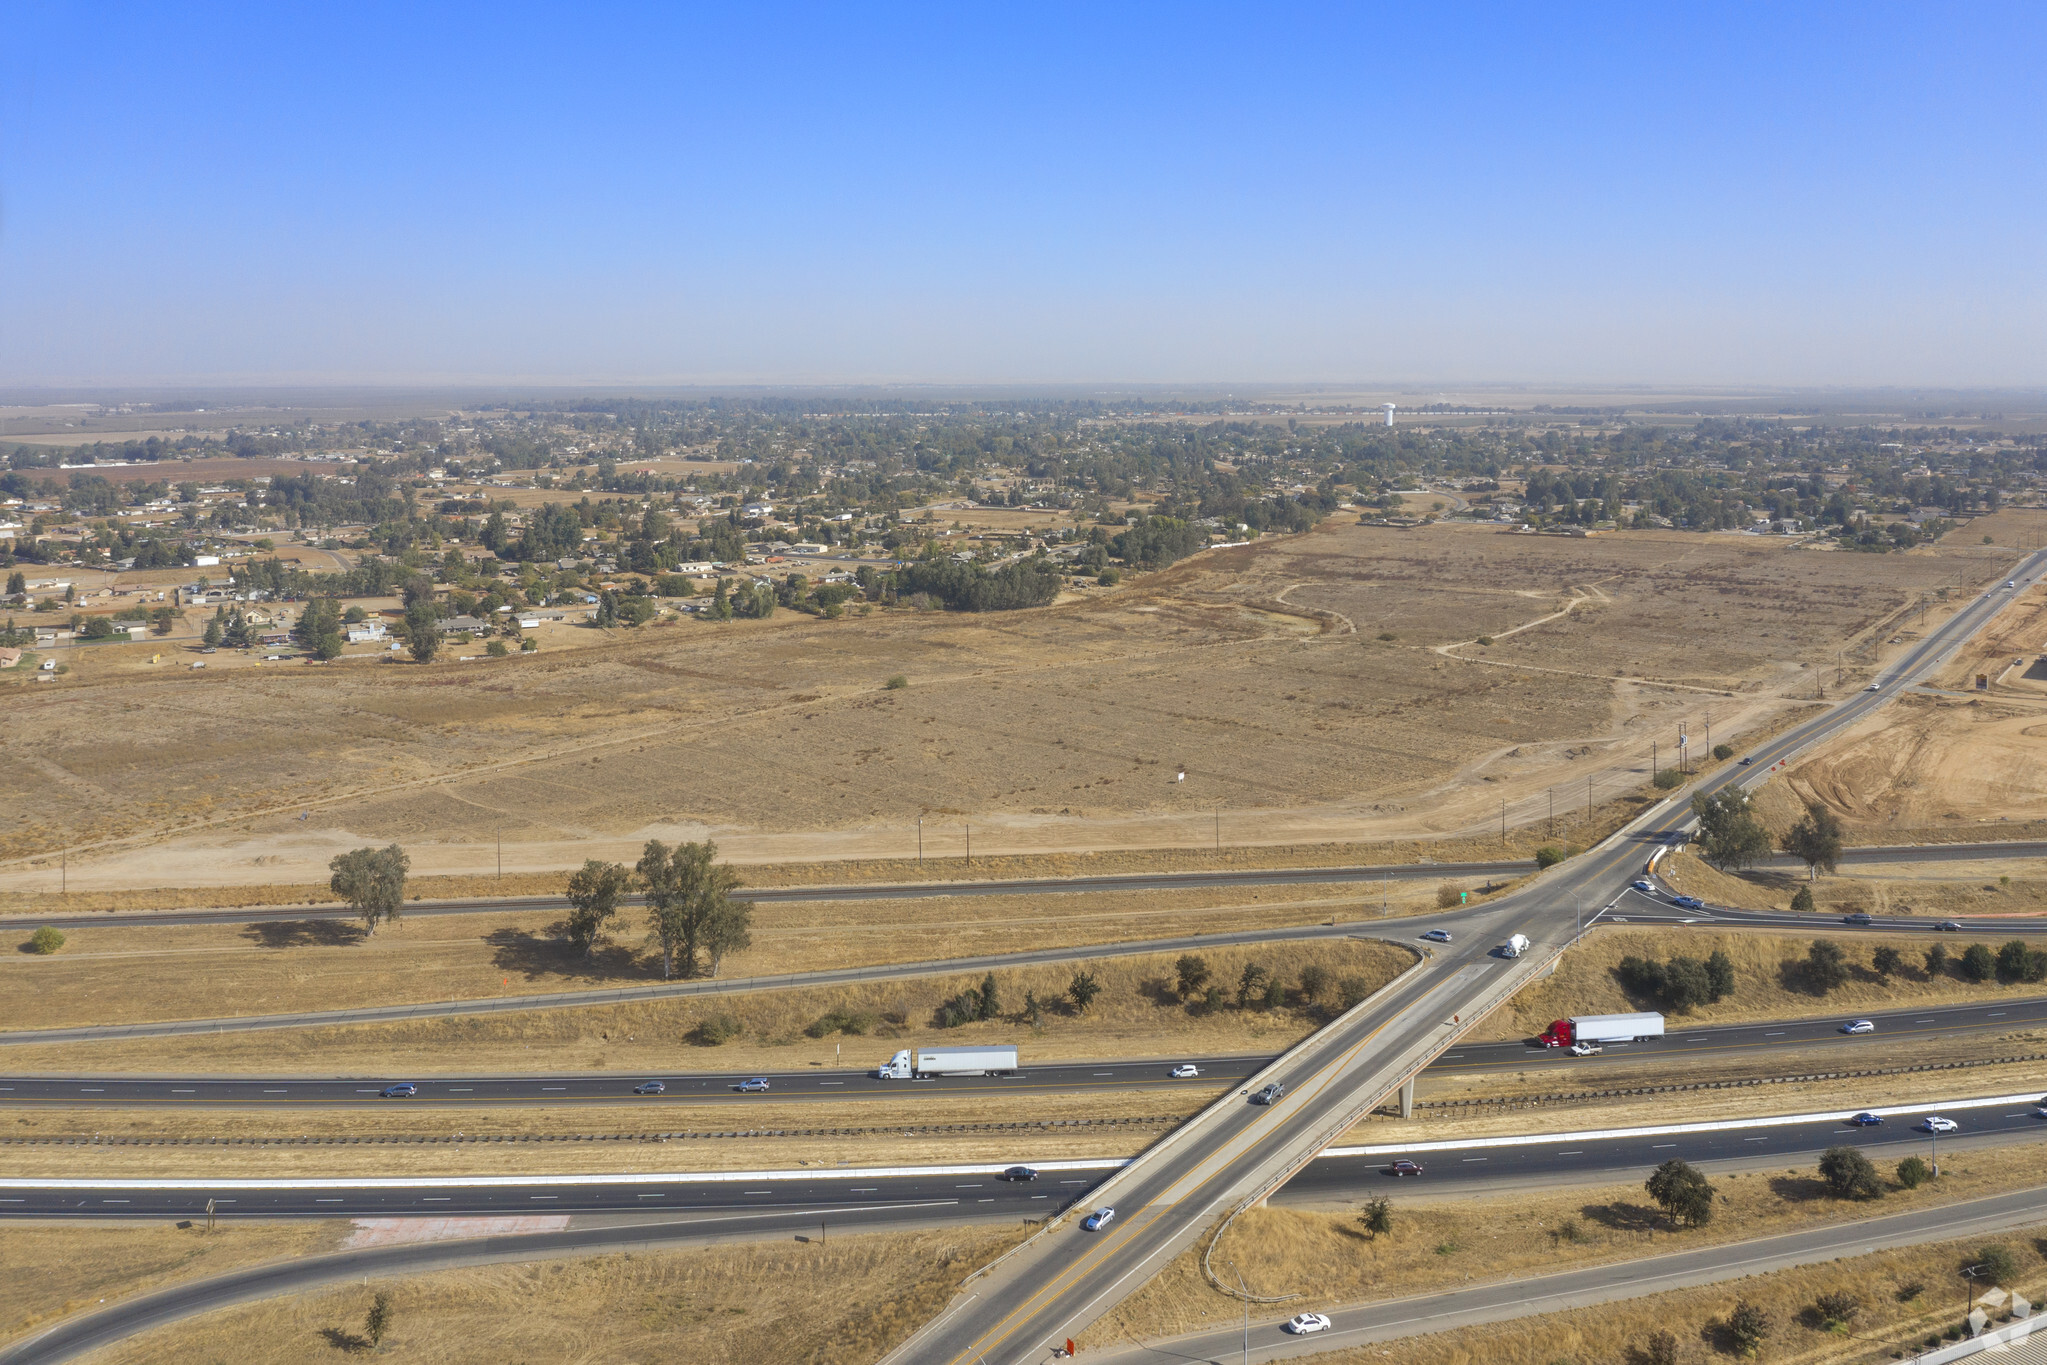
[{"x": 797, "y": 1303}]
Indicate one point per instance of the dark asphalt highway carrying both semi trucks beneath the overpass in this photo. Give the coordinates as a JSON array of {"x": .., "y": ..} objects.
[{"x": 1045, "y": 1080}]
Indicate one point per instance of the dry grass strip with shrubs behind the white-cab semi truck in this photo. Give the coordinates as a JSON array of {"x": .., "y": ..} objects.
[{"x": 1135, "y": 1016}]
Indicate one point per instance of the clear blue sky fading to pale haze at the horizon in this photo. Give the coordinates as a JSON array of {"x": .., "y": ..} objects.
[{"x": 1043, "y": 195}]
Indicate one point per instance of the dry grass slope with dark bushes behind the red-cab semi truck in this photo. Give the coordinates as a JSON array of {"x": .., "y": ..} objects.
[{"x": 1770, "y": 981}]
